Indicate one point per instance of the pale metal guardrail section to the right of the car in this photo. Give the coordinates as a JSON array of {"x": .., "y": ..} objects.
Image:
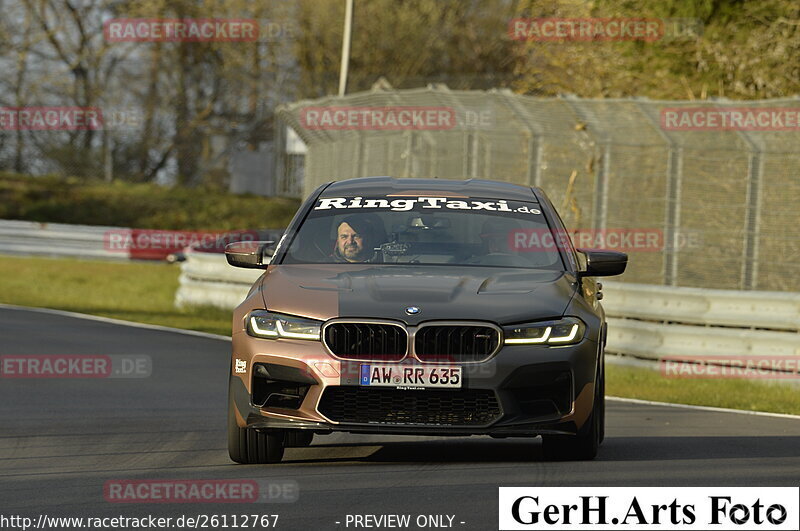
[{"x": 658, "y": 322}]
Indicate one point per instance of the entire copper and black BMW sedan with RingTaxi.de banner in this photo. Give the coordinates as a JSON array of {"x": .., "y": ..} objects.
[{"x": 420, "y": 306}]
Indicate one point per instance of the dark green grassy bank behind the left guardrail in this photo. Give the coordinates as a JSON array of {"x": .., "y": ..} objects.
[{"x": 147, "y": 206}]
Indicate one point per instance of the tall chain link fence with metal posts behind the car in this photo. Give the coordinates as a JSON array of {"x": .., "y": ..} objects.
[{"x": 724, "y": 199}]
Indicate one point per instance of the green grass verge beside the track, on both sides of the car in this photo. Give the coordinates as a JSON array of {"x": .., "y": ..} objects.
[{"x": 144, "y": 292}]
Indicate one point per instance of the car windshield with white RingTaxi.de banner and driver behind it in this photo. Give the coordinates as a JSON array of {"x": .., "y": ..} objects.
[{"x": 426, "y": 230}]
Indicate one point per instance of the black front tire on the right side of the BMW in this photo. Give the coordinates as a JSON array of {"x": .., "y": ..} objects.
[{"x": 584, "y": 445}]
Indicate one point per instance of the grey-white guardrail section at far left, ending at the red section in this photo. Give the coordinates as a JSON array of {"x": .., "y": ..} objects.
[{"x": 57, "y": 239}]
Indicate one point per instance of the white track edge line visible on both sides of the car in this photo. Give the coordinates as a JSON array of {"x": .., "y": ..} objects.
[{"x": 226, "y": 338}]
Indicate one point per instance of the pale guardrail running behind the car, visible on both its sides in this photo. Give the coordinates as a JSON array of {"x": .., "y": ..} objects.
[{"x": 646, "y": 322}]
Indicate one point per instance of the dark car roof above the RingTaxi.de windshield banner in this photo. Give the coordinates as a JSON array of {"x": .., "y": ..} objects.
[{"x": 379, "y": 186}]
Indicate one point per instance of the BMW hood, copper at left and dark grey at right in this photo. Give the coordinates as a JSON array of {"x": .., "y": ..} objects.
[{"x": 499, "y": 295}]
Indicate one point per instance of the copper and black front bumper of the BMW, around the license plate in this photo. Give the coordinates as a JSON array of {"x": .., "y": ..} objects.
[{"x": 538, "y": 390}]
